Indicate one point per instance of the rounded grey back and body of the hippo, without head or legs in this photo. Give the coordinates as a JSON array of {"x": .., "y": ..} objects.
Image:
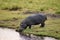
[{"x": 34, "y": 19}]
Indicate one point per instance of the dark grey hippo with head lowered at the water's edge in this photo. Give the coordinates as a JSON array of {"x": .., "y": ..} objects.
[{"x": 33, "y": 20}]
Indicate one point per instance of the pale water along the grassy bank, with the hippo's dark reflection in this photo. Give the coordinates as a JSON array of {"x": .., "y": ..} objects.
[{"x": 11, "y": 34}]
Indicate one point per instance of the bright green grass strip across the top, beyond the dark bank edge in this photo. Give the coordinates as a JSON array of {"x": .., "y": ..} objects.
[{"x": 50, "y": 6}]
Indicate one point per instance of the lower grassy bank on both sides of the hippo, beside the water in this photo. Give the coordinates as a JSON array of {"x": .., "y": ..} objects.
[{"x": 13, "y": 19}]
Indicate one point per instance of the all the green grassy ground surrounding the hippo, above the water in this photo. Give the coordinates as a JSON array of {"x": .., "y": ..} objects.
[{"x": 12, "y": 13}]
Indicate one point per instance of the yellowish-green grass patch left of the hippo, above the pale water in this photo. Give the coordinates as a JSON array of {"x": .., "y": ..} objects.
[{"x": 11, "y": 18}]
